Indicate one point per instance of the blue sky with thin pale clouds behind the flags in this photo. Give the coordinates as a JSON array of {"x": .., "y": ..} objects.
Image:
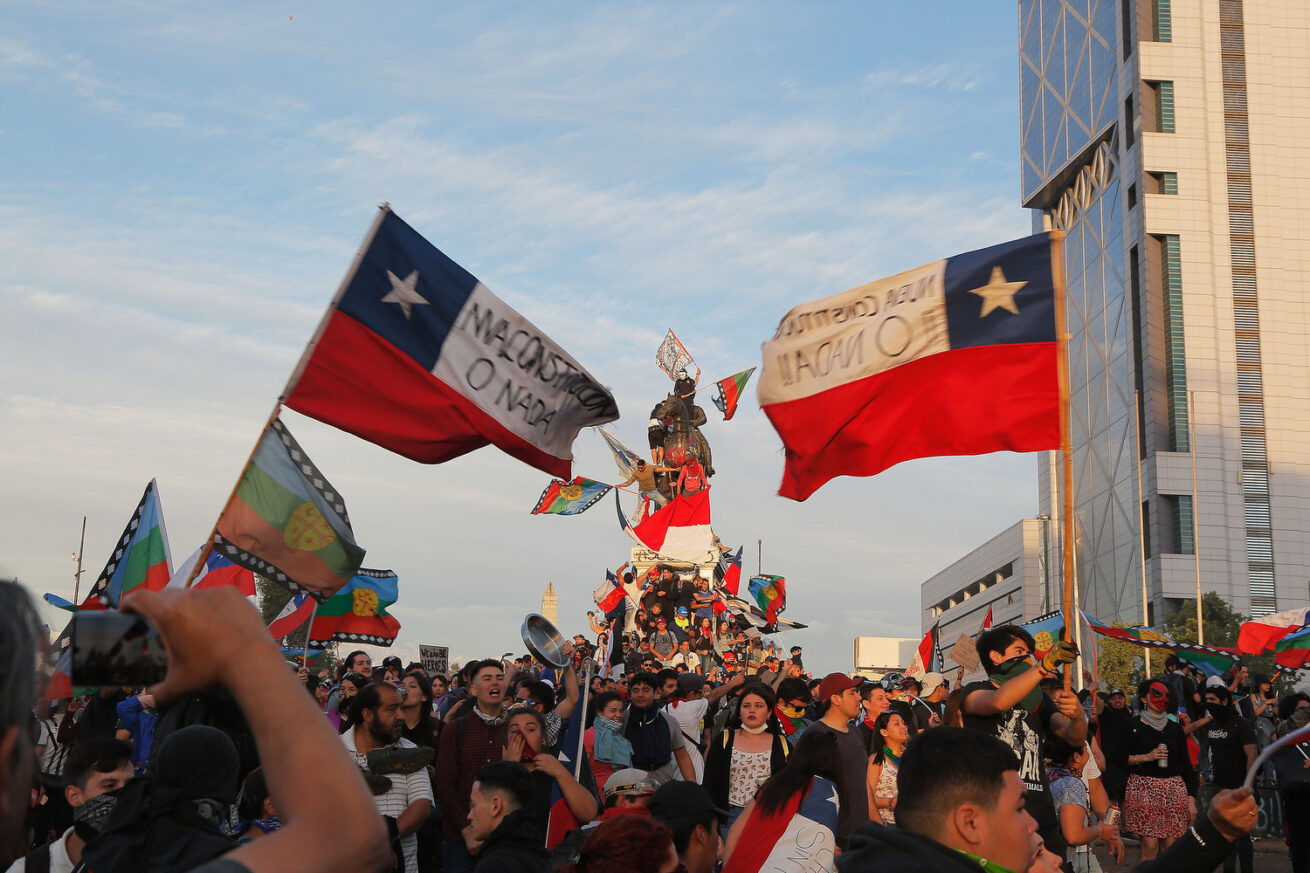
[{"x": 185, "y": 184}]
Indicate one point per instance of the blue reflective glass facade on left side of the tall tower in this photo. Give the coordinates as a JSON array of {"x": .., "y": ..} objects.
[{"x": 1070, "y": 99}]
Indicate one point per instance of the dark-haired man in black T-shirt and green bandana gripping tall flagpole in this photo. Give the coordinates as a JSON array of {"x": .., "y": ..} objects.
[{"x": 1012, "y": 707}]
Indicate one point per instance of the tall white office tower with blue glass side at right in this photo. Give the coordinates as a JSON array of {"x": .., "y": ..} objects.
[{"x": 1172, "y": 145}]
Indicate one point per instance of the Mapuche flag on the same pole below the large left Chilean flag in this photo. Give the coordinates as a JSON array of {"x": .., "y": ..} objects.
[{"x": 286, "y": 521}]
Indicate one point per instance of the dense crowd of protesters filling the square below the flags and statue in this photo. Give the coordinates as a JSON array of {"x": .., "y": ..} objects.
[{"x": 734, "y": 758}]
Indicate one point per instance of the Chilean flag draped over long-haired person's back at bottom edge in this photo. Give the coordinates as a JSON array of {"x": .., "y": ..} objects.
[{"x": 800, "y": 838}]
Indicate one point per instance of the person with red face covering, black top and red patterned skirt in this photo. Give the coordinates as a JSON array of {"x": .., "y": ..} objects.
[{"x": 1160, "y": 799}]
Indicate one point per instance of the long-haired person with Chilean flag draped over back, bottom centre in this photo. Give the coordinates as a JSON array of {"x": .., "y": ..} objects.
[{"x": 795, "y": 816}]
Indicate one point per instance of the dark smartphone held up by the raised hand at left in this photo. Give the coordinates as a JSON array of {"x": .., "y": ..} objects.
[{"x": 115, "y": 648}]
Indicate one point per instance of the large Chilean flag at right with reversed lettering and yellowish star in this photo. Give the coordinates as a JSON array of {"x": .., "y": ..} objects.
[{"x": 958, "y": 357}]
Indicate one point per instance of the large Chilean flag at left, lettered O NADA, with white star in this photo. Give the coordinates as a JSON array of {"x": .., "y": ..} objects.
[{"x": 421, "y": 359}]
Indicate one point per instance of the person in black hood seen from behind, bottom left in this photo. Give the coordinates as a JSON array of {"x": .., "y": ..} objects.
[{"x": 172, "y": 820}]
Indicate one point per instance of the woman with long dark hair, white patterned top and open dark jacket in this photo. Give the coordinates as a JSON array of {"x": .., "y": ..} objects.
[{"x": 749, "y": 752}]
